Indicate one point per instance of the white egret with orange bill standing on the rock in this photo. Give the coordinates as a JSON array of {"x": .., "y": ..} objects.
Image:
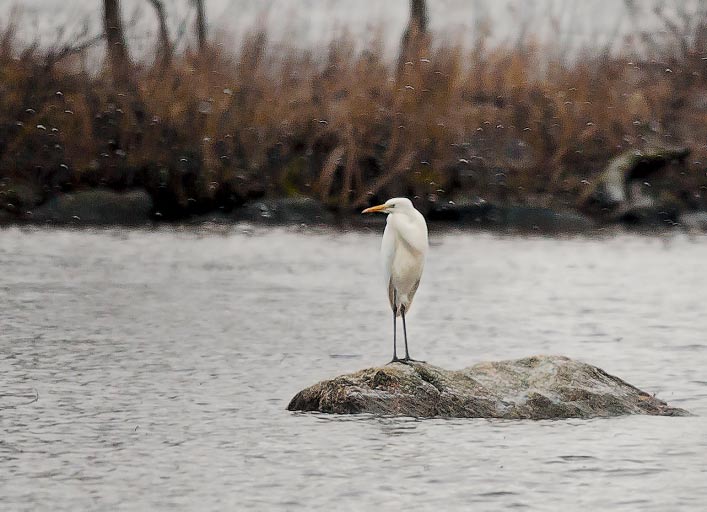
[{"x": 403, "y": 253}]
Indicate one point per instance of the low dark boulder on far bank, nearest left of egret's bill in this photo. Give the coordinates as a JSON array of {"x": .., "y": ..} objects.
[{"x": 293, "y": 210}]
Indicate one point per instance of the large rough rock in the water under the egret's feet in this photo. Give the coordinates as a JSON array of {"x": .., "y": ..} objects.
[{"x": 540, "y": 387}]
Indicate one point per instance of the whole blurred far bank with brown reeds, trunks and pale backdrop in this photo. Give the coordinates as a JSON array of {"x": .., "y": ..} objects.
[{"x": 547, "y": 114}]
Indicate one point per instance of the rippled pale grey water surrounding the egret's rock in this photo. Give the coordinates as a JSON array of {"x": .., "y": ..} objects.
[{"x": 162, "y": 363}]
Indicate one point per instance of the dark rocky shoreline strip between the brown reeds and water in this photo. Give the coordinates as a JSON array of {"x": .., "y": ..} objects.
[{"x": 522, "y": 220}]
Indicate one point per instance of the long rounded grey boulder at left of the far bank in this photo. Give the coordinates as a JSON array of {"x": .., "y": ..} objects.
[{"x": 97, "y": 207}]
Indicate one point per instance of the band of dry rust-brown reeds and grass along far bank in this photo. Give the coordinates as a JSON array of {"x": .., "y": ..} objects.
[{"x": 208, "y": 128}]
